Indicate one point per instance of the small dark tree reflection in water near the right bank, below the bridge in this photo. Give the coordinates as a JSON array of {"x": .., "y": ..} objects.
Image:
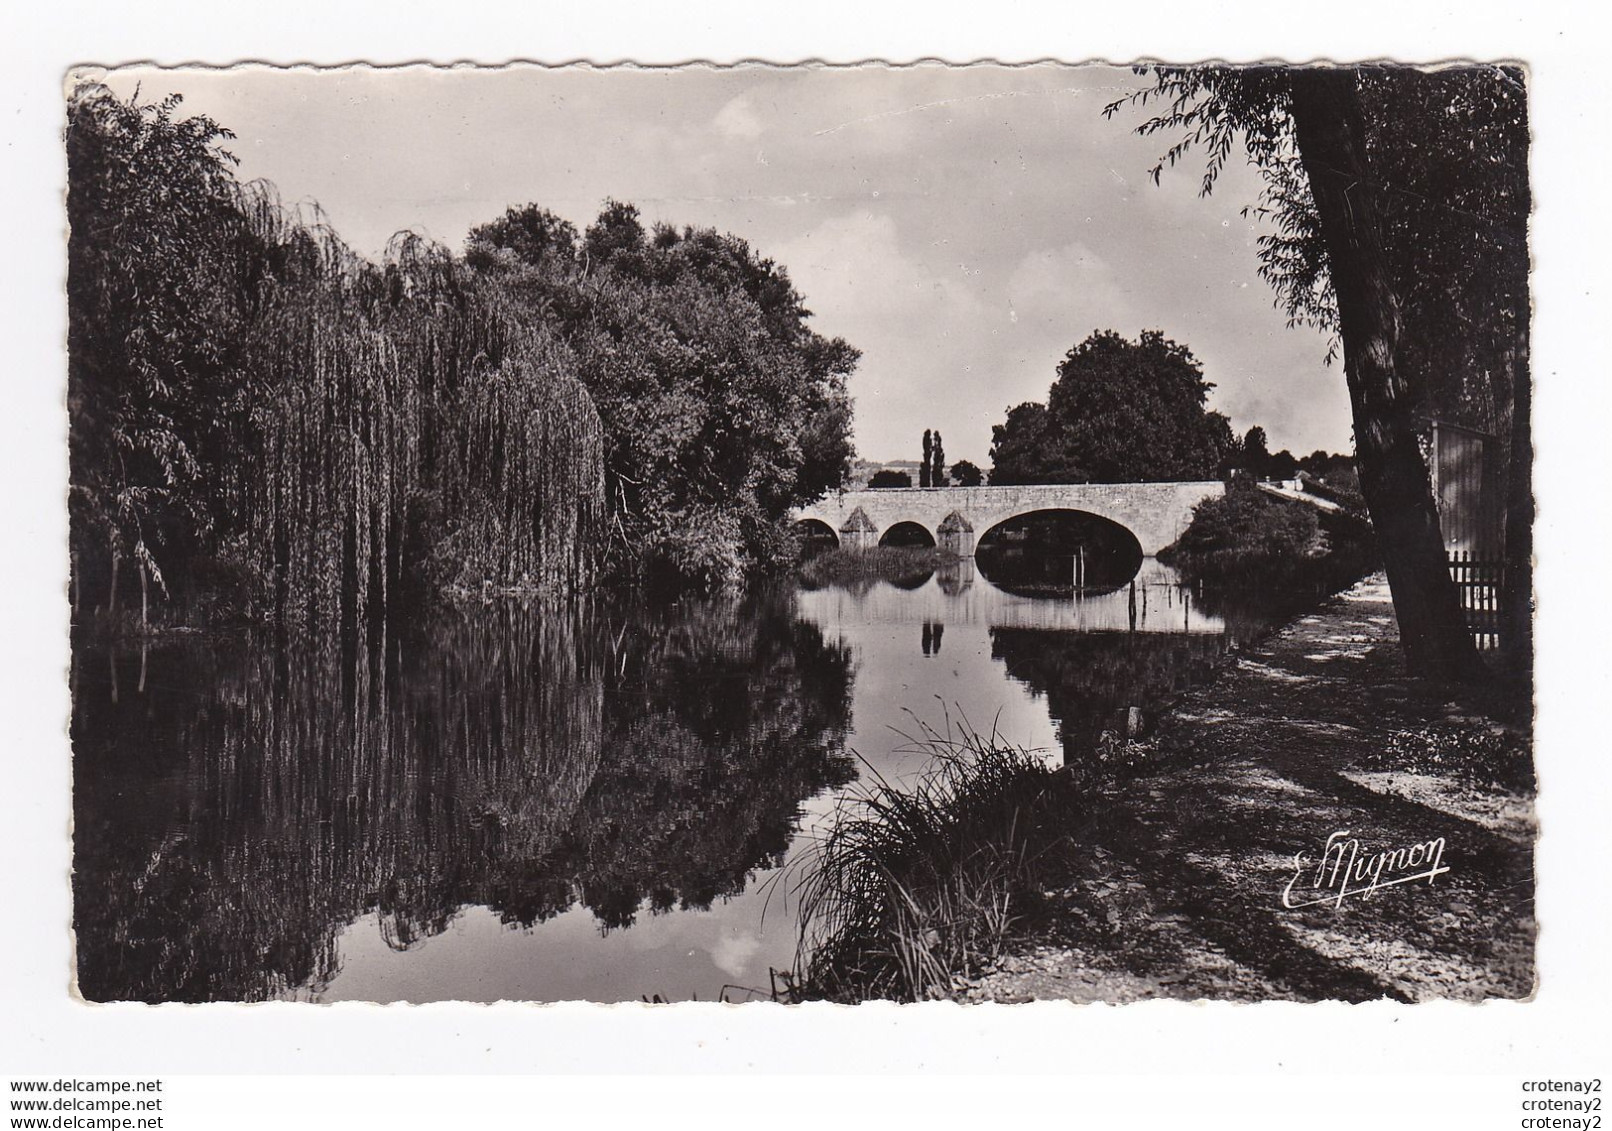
[{"x": 1087, "y": 677}]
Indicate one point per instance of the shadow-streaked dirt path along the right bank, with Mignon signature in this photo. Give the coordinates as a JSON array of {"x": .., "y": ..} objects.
[{"x": 1173, "y": 885}]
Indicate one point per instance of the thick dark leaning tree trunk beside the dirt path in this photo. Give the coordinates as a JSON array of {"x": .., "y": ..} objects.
[{"x": 1331, "y": 133}]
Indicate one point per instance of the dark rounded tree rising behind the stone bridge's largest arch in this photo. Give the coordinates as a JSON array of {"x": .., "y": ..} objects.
[{"x": 1121, "y": 412}]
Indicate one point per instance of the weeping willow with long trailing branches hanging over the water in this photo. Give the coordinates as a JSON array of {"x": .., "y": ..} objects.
[{"x": 415, "y": 429}]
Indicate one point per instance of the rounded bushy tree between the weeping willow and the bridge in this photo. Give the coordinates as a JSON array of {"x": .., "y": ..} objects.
[{"x": 721, "y": 407}]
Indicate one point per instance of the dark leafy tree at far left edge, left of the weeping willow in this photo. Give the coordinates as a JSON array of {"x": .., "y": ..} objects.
[{"x": 151, "y": 201}]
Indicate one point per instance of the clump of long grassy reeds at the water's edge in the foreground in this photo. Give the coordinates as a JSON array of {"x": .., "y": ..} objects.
[{"x": 916, "y": 887}]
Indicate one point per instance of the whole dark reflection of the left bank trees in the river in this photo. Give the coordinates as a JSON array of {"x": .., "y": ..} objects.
[{"x": 238, "y": 805}]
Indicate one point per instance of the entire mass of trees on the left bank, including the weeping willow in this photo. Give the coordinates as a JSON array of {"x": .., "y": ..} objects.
[{"x": 264, "y": 425}]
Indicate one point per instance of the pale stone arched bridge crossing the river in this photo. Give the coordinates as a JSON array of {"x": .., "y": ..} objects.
[{"x": 957, "y": 518}]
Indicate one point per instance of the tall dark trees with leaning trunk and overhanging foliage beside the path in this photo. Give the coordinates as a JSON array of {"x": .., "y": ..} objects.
[{"x": 1402, "y": 201}]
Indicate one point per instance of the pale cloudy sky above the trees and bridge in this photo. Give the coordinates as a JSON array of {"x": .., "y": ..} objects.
[{"x": 962, "y": 226}]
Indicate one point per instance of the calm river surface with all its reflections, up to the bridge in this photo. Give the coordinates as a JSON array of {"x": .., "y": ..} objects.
[{"x": 515, "y": 805}]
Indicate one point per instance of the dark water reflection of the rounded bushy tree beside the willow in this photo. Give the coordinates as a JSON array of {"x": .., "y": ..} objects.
[{"x": 723, "y": 721}]
